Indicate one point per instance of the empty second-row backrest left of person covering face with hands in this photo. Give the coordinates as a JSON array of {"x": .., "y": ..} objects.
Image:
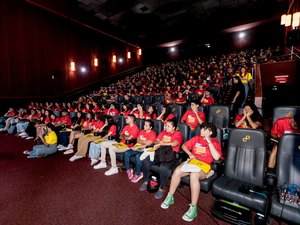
[{"x": 219, "y": 116}]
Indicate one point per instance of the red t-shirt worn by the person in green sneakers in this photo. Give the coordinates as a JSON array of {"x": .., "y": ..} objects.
[{"x": 199, "y": 147}]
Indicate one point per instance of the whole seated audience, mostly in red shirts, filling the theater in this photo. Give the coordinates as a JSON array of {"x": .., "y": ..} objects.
[{"x": 88, "y": 127}]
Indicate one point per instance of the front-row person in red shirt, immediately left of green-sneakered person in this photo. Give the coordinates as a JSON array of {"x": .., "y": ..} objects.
[{"x": 168, "y": 140}]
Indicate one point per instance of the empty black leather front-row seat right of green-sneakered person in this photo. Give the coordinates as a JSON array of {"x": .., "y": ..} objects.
[{"x": 244, "y": 165}]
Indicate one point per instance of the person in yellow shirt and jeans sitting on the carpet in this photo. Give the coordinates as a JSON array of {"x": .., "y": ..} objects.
[{"x": 49, "y": 145}]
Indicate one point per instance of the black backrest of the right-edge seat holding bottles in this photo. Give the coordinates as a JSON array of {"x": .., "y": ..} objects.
[{"x": 288, "y": 160}]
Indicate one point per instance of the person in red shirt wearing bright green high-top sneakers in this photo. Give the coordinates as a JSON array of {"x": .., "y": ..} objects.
[{"x": 205, "y": 148}]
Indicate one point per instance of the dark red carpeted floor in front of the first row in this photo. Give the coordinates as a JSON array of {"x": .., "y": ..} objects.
[{"x": 53, "y": 190}]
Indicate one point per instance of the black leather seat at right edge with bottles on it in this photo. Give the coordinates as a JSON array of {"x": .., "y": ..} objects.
[{"x": 288, "y": 172}]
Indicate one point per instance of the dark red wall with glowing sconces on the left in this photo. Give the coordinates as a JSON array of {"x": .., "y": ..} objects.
[{"x": 36, "y": 44}]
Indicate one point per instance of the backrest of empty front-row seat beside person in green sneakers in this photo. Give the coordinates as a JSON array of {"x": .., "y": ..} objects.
[{"x": 246, "y": 156}]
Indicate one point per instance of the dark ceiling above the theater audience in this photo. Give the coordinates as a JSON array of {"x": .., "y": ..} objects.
[{"x": 152, "y": 22}]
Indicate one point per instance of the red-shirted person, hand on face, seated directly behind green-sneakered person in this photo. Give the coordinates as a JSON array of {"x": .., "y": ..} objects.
[{"x": 193, "y": 118}]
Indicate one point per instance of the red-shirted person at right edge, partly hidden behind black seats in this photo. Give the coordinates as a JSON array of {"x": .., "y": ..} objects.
[{"x": 283, "y": 126}]
